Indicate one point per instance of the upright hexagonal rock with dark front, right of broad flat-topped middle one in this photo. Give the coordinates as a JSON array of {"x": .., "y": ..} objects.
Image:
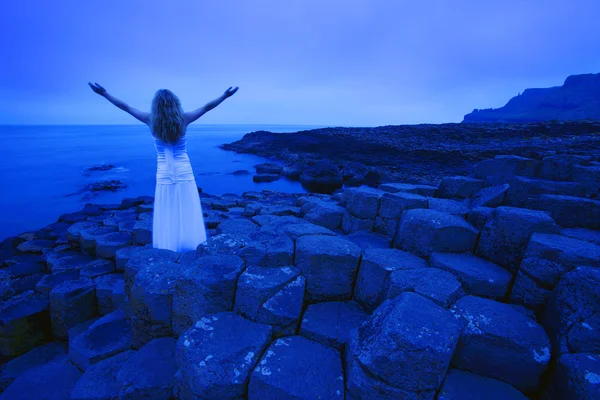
[{"x": 506, "y": 234}]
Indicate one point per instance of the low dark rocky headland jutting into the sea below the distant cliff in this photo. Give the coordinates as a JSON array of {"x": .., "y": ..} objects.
[{"x": 329, "y": 158}]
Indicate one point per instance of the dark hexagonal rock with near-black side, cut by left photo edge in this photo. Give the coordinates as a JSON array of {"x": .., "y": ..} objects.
[{"x": 24, "y": 323}]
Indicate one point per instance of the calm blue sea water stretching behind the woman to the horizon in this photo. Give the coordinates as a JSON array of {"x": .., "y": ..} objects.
[{"x": 43, "y": 165}]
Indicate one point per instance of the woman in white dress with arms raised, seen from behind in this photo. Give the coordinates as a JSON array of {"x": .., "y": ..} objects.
[{"x": 178, "y": 223}]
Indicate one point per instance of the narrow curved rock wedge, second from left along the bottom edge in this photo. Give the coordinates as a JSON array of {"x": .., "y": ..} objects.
[{"x": 98, "y": 381}]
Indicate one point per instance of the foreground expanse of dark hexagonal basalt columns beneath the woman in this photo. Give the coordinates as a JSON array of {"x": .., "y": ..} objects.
[{"x": 485, "y": 285}]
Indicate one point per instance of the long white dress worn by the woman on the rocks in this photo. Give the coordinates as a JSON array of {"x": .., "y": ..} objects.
[{"x": 178, "y": 223}]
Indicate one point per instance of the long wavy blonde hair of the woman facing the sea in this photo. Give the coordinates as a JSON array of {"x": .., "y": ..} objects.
[{"x": 166, "y": 117}]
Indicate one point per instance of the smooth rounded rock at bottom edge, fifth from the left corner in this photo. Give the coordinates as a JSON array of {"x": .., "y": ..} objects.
[{"x": 286, "y": 359}]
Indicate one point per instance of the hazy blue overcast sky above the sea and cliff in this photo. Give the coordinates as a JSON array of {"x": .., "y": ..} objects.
[{"x": 322, "y": 62}]
